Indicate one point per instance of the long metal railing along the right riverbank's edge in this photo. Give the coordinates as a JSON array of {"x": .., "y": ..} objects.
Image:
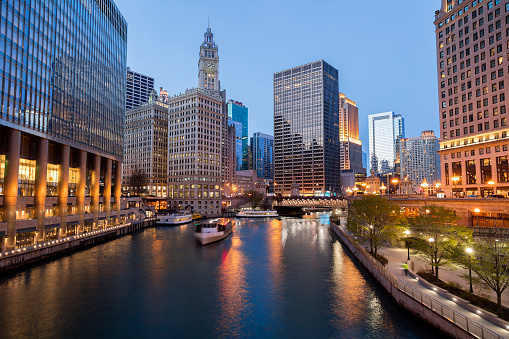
[{"x": 460, "y": 320}]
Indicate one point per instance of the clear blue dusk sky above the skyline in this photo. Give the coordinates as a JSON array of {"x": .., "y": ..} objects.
[{"x": 384, "y": 51}]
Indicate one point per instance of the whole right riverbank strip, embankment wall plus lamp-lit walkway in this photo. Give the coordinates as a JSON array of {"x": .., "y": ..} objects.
[{"x": 440, "y": 312}]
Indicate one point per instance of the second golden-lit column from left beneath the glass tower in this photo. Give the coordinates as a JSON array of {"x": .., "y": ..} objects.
[{"x": 41, "y": 173}]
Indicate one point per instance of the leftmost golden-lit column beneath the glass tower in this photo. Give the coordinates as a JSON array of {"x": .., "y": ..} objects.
[{"x": 11, "y": 187}]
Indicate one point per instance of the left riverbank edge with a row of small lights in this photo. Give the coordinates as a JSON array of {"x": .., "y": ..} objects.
[{"x": 30, "y": 254}]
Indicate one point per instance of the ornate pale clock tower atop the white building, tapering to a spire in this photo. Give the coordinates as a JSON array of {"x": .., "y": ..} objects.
[{"x": 208, "y": 65}]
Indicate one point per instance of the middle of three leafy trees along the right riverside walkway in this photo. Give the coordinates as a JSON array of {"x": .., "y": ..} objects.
[{"x": 436, "y": 235}]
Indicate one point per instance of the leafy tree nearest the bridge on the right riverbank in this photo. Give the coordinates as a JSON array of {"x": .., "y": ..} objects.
[{"x": 374, "y": 220}]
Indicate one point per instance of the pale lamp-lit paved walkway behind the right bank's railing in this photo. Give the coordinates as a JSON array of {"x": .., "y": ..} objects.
[{"x": 397, "y": 257}]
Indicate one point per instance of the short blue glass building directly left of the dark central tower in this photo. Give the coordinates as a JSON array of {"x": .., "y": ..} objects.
[{"x": 262, "y": 153}]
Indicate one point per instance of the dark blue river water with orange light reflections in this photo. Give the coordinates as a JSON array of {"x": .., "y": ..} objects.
[{"x": 272, "y": 278}]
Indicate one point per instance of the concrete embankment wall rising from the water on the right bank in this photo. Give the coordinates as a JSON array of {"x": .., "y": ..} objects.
[{"x": 427, "y": 308}]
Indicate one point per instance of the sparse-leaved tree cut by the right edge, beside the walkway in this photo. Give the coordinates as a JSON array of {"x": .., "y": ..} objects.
[{"x": 489, "y": 262}]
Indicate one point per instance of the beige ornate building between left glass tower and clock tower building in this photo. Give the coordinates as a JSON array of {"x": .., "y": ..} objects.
[{"x": 146, "y": 147}]
